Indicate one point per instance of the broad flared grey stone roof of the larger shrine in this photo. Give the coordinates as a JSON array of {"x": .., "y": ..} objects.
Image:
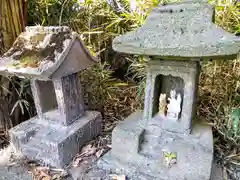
[{"x": 180, "y": 30}]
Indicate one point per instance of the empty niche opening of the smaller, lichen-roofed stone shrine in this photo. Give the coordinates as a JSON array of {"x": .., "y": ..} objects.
[{"x": 47, "y": 96}]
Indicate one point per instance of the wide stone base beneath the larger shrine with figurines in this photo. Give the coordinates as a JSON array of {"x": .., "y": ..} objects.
[{"x": 147, "y": 162}]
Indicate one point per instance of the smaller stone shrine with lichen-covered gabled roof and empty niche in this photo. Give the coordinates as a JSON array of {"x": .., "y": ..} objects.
[{"x": 52, "y": 57}]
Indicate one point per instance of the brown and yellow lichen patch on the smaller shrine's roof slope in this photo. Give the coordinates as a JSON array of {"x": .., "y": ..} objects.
[{"x": 30, "y": 49}]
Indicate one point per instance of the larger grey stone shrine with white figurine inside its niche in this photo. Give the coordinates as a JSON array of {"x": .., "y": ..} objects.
[{"x": 164, "y": 142}]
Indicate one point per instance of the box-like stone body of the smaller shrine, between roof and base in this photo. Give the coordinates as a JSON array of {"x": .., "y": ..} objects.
[{"x": 60, "y": 100}]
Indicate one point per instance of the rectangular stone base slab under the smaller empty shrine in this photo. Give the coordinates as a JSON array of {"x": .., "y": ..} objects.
[{"x": 52, "y": 143}]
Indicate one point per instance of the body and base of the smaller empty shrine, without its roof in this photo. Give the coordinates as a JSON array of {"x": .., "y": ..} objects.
[{"x": 62, "y": 126}]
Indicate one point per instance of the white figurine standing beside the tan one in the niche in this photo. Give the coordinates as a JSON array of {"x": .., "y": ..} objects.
[{"x": 174, "y": 105}]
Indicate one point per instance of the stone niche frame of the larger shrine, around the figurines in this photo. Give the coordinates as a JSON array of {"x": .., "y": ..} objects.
[{"x": 186, "y": 71}]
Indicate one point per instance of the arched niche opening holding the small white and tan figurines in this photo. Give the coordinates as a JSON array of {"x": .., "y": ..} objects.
[{"x": 168, "y": 96}]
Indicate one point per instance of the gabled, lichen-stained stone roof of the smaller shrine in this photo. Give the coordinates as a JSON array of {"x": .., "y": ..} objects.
[{"x": 40, "y": 51}]
